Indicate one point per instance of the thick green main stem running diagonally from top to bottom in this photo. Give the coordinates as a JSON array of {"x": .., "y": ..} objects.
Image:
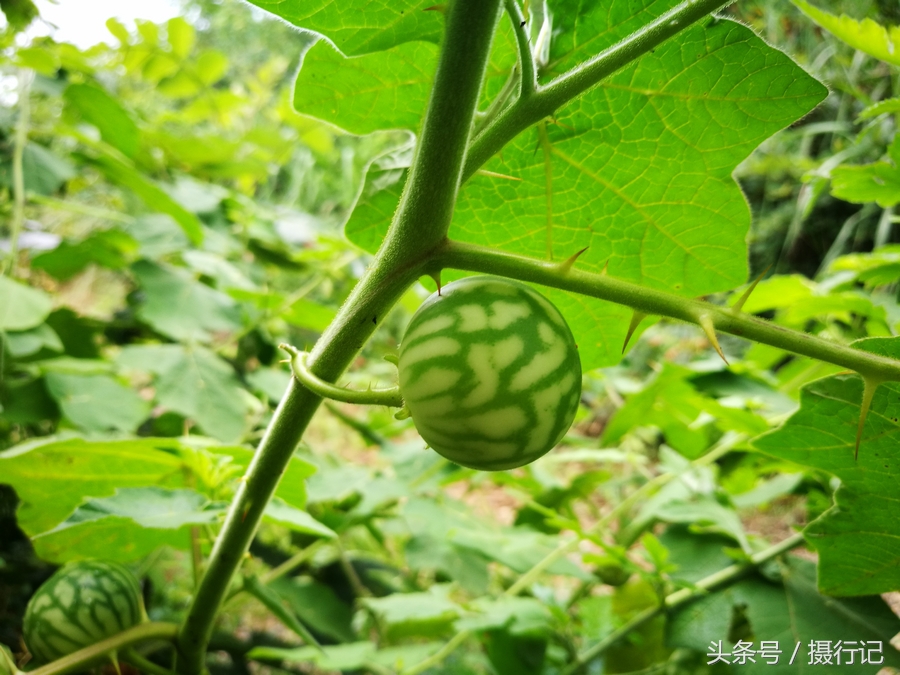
[{"x": 419, "y": 228}]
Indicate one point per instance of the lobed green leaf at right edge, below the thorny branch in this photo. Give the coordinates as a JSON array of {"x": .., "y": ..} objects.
[{"x": 858, "y": 540}]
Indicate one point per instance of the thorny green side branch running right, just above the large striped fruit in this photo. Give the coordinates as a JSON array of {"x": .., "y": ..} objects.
[{"x": 653, "y": 302}]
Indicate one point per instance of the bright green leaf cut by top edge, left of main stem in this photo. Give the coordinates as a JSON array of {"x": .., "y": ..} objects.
[{"x": 361, "y": 27}]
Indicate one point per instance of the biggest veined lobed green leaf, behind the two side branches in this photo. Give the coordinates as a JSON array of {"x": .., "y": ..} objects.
[{"x": 638, "y": 169}]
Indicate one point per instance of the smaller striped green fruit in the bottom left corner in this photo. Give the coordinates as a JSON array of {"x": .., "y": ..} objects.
[{"x": 81, "y": 604}]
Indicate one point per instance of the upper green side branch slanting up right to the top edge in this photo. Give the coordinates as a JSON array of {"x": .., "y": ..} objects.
[{"x": 546, "y": 100}]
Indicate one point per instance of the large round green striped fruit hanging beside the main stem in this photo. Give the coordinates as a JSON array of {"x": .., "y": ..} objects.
[{"x": 490, "y": 373}]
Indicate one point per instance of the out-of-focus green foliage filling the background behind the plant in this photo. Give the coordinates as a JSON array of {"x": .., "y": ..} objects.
[{"x": 181, "y": 220}]
